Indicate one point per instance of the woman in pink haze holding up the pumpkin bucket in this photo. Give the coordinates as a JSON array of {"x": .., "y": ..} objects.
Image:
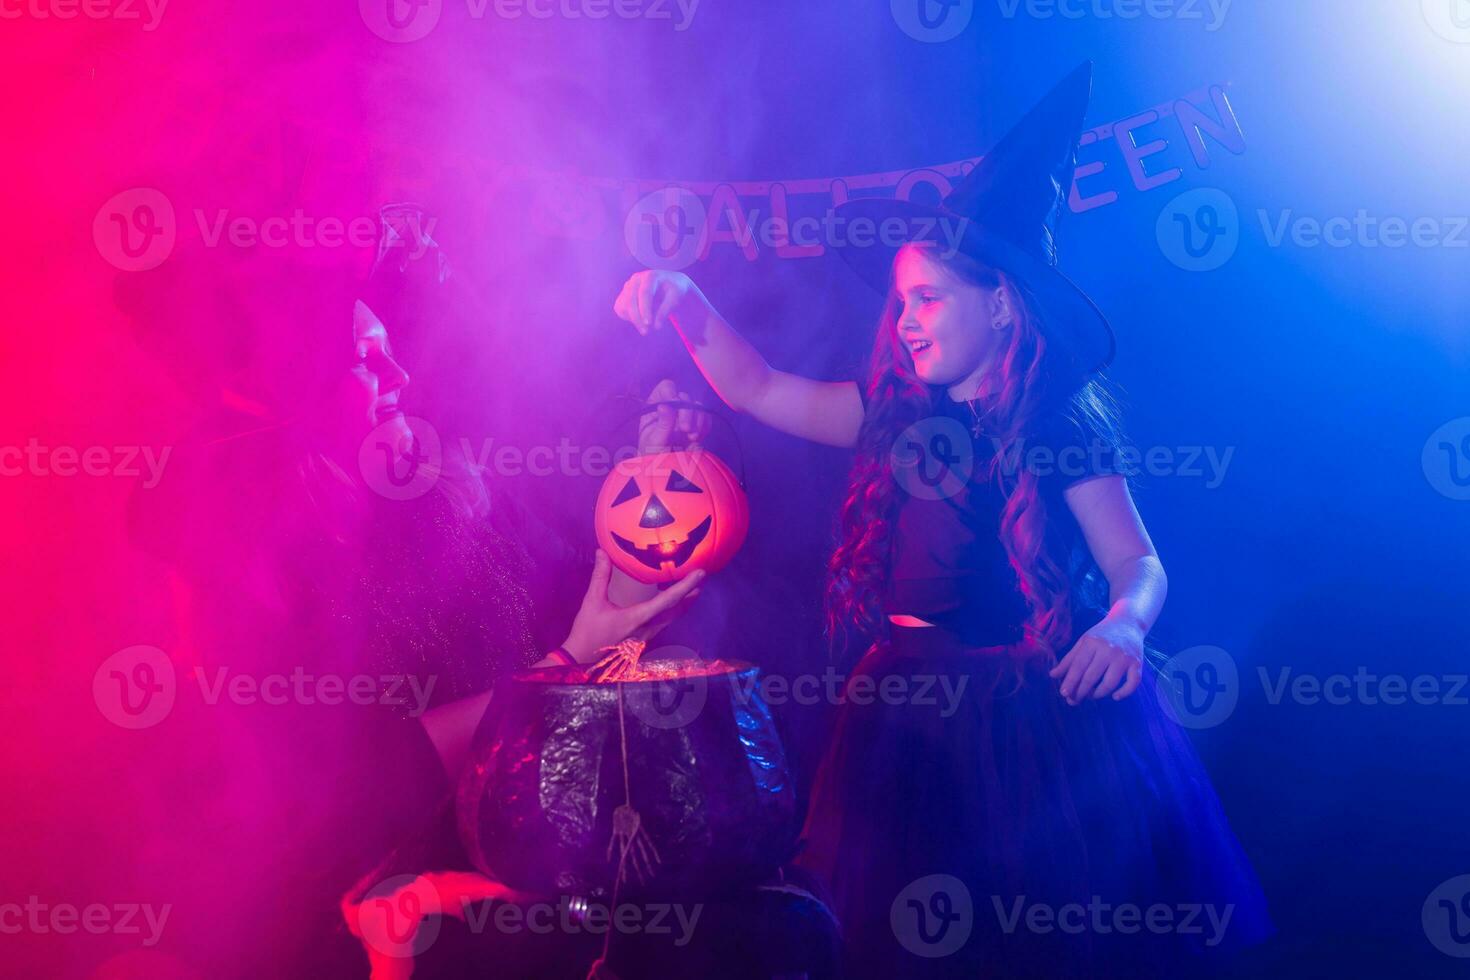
[{"x": 284, "y": 563}]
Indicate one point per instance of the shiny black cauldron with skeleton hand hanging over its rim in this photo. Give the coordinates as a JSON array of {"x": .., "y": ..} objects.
[{"x": 706, "y": 774}]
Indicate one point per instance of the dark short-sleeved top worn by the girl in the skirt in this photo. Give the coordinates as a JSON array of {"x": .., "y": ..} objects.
[{"x": 949, "y": 562}]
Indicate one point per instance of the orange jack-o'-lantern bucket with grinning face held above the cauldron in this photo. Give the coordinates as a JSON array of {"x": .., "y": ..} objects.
[{"x": 662, "y": 516}]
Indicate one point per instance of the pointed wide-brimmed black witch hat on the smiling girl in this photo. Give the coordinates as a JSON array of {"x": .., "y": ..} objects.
[{"x": 1005, "y": 214}]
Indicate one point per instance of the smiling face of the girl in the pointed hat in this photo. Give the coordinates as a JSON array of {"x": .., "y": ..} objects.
[{"x": 953, "y": 328}]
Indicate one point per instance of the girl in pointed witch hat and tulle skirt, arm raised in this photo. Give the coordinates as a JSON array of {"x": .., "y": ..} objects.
[{"x": 1030, "y": 832}]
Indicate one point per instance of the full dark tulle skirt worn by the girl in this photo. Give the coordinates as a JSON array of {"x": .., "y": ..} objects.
[{"x": 971, "y": 824}]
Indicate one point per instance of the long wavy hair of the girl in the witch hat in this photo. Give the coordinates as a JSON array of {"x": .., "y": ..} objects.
[{"x": 1019, "y": 394}]
